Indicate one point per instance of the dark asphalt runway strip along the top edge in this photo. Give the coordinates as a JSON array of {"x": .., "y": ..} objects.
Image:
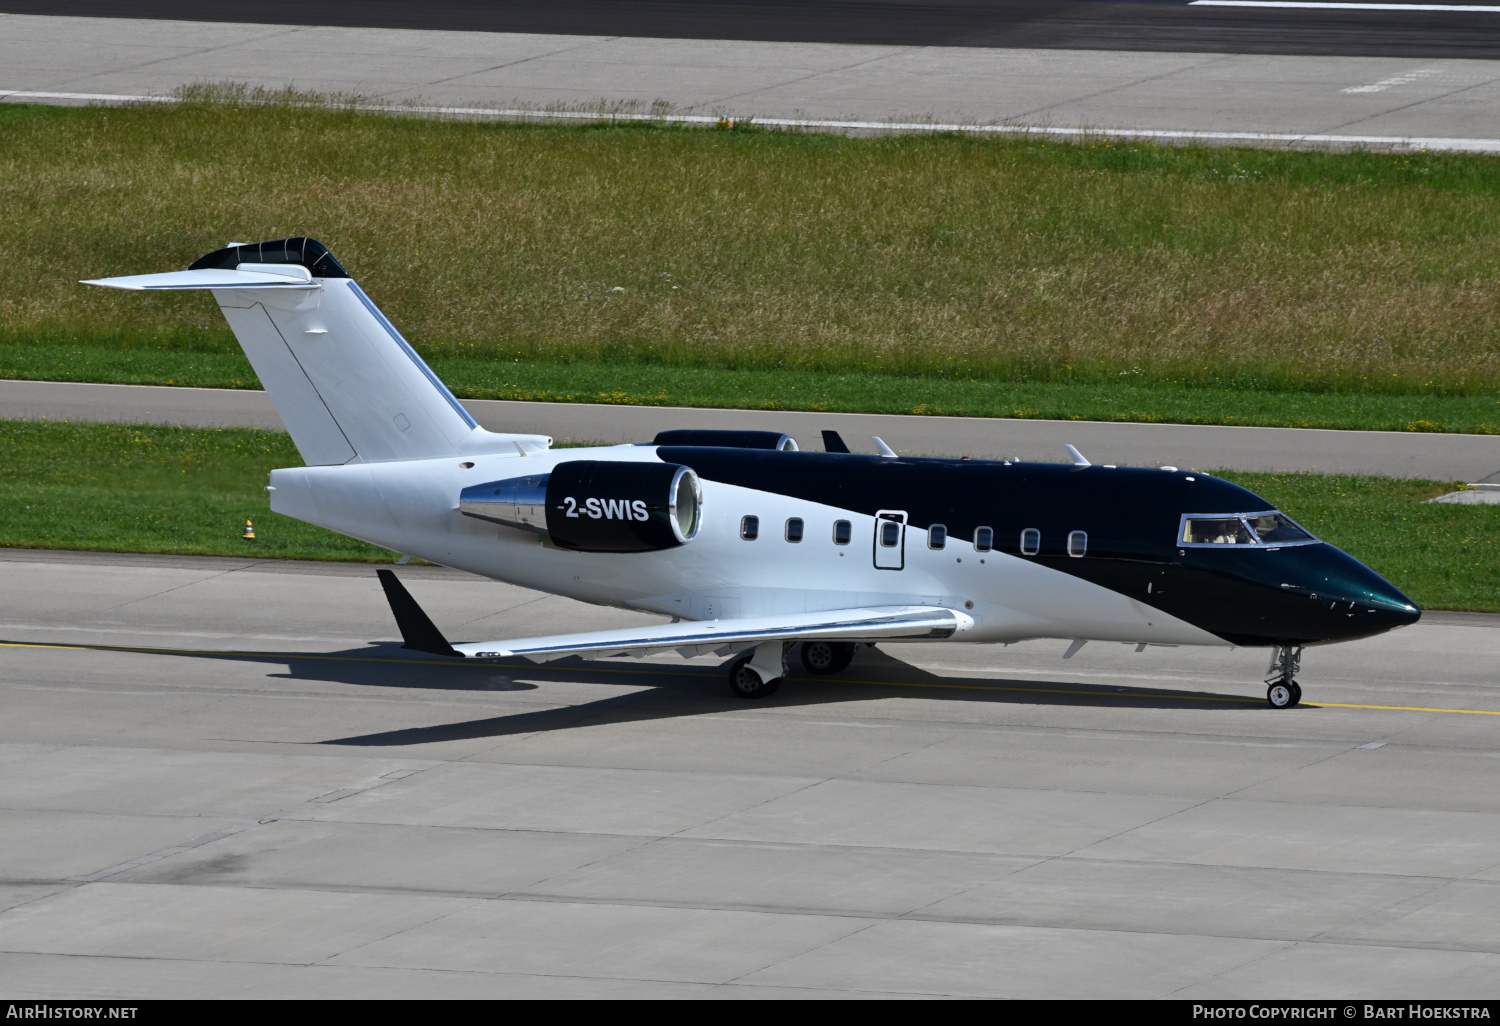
[{"x": 1099, "y": 25}]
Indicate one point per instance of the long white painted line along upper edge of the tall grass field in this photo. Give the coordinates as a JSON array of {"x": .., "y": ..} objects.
[{"x": 1438, "y": 145}]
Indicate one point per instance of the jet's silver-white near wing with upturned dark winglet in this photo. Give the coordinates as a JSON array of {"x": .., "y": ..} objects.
[{"x": 692, "y": 638}]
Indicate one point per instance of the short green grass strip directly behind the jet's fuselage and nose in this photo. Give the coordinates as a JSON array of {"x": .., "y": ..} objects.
[{"x": 178, "y": 490}]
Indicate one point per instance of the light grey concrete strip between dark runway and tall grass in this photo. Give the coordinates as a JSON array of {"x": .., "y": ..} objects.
[{"x": 1445, "y": 98}]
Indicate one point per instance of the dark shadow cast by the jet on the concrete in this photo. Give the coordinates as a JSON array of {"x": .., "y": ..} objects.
[{"x": 670, "y": 689}]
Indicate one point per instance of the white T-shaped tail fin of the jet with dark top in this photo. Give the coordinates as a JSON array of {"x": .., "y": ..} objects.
[{"x": 346, "y": 383}]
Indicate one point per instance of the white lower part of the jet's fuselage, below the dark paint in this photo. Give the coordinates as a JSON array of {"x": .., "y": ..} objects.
[{"x": 412, "y": 506}]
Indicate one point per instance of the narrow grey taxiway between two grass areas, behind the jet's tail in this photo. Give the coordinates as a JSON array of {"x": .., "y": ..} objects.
[{"x": 1382, "y": 454}]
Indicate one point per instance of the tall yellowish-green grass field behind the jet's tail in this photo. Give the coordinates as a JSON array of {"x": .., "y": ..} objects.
[{"x": 901, "y": 274}]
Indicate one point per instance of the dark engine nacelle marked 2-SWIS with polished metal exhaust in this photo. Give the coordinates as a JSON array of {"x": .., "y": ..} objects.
[{"x": 596, "y": 506}]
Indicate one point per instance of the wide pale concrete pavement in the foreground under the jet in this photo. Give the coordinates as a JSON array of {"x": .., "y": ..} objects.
[{"x": 227, "y": 781}]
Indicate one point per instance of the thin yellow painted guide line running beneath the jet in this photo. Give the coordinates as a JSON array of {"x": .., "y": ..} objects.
[{"x": 800, "y": 680}]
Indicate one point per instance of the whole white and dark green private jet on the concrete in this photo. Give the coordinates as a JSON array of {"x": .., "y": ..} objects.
[{"x": 754, "y": 548}]
